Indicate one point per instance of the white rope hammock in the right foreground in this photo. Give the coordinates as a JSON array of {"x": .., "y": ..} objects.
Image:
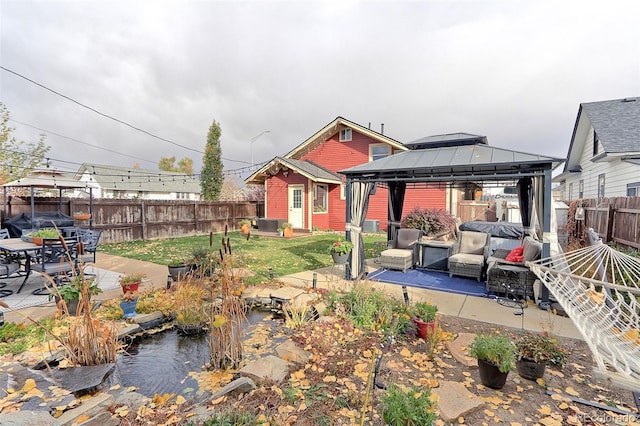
[{"x": 599, "y": 288}]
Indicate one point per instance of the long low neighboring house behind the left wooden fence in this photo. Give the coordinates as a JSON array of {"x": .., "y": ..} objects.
[{"x": 133, "y": 182}]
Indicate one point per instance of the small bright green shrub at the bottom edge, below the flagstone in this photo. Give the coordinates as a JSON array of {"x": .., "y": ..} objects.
[{"x": 410, "y": 407}]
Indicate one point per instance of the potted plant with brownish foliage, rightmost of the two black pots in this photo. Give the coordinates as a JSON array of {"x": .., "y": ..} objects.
[{"x": 534, "y": 351}]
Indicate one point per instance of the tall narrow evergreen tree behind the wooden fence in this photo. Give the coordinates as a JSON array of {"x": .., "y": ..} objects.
[{"x": 211, "y": 177}]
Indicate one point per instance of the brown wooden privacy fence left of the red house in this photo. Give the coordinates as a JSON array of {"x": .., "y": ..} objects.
[{"x": 128, "y": 220}]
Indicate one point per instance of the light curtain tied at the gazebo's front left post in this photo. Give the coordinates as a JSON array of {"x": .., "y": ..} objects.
[{"x": 359, "y": 203}]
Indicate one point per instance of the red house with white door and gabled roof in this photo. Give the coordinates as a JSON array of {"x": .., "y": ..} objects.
[{"x": 304, "y": 187}]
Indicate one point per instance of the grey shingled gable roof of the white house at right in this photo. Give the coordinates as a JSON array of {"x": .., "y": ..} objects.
[{"x": 617, "y": 124}]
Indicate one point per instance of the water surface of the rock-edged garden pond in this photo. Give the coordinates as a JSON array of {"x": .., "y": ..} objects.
[{"x": 160, "y": 363}]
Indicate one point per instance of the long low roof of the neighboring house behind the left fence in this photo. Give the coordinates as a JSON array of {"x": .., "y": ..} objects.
[{"x": 135, "y": 179}]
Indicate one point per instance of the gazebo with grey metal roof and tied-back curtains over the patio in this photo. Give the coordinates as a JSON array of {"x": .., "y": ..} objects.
[{"x": 449, "y": 165}]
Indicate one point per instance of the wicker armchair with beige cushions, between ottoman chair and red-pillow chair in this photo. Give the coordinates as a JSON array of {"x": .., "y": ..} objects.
[{"x": 469, "y": 254}]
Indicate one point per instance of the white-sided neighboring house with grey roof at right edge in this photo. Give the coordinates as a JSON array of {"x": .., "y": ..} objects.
[{"x": 604, "y": 154}]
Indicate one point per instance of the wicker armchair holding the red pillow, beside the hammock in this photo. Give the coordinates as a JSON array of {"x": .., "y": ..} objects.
[{"x": 513, "y": 278}]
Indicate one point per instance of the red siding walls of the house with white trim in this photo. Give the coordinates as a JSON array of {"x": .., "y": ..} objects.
[{"x": 335, "y": 155}]
